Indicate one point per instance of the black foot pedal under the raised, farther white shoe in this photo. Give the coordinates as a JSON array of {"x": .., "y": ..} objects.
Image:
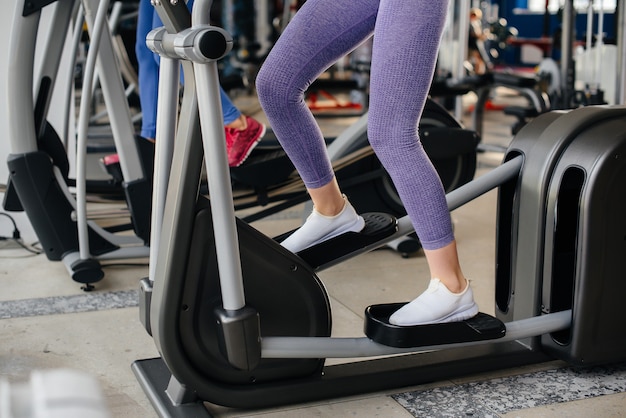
[{"x": 377, "y": 226}]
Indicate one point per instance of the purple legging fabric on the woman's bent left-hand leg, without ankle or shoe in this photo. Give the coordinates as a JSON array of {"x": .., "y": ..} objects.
[{"x": 320, "y": 33}]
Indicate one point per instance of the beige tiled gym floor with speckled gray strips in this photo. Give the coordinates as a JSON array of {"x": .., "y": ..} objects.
[{"x": 48, "y": 322}]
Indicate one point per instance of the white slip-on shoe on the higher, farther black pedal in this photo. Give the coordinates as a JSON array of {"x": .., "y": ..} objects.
[{"x": 319, "y": 228}]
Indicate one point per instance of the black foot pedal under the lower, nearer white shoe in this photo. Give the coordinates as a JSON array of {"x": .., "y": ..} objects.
[{"x": 479, "y": 328}]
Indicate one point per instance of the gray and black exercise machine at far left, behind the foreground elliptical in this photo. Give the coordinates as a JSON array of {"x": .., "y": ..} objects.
[{"x": 39, "y": 182}]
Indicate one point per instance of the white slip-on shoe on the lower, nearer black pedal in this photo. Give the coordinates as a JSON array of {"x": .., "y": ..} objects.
[{"x": 436, "y": 305}]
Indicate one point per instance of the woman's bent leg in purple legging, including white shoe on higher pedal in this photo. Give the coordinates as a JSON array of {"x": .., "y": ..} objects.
[{"x": 321, "y": 32}]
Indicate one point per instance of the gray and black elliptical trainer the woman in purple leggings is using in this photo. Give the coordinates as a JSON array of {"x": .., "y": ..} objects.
[{"x": 216, "y": 299}]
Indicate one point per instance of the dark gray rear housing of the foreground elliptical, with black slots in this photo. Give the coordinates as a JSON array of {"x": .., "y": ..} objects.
[{"x": 562, "y": 232}]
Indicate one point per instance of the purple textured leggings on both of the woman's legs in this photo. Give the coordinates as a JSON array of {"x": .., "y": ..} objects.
[{"x": 406, "y": 41}]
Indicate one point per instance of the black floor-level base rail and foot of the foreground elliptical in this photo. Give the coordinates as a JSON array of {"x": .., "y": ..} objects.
[{"x": 382, "y": 374}]
